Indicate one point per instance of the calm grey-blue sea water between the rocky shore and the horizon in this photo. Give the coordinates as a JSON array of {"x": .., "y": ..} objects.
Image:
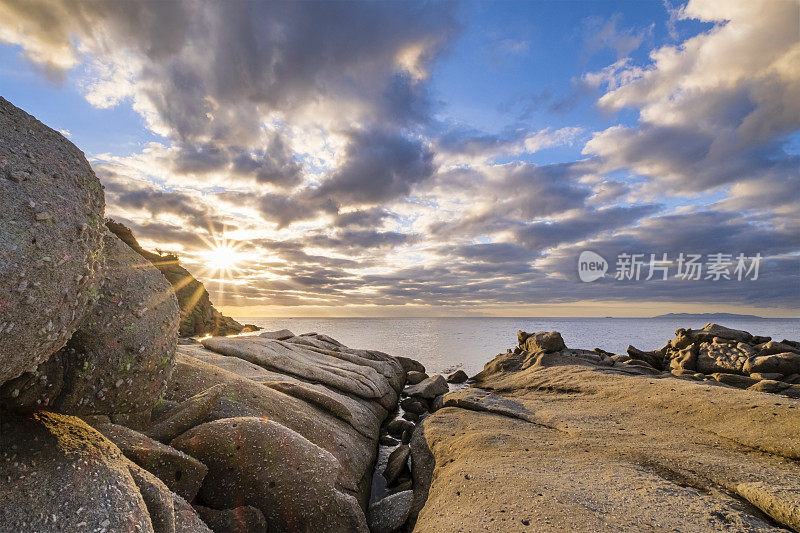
[{"x": 445, "y": 344}]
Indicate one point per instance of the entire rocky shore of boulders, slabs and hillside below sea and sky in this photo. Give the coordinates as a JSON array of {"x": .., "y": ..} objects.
[{"x": 112, "y": 419}]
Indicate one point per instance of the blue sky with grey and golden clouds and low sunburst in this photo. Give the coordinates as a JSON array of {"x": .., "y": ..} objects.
[{"x": 434, "y": 158}]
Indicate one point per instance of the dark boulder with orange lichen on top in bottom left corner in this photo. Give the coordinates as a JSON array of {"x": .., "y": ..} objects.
[{"x": 61, "y": 475}]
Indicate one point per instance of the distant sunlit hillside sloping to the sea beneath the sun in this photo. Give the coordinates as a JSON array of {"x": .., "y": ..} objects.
[{"x": 198, "y": 315}]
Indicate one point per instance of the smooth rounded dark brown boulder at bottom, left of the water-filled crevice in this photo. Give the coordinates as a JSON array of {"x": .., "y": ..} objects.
[{"x": 255, "y": 461}]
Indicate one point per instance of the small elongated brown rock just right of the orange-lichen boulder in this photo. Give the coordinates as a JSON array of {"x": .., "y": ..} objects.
[{"x": 181, "y": 473}]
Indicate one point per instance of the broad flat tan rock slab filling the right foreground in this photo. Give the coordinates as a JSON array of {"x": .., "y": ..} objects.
[{"x": 601, "y": 442}]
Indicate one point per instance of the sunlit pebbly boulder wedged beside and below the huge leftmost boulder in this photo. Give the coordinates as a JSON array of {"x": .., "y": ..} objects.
[{"x": 121, "y": 357}]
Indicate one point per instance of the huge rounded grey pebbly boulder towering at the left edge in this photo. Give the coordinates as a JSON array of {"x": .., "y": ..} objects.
[{"x": 51, "y": 238}]
